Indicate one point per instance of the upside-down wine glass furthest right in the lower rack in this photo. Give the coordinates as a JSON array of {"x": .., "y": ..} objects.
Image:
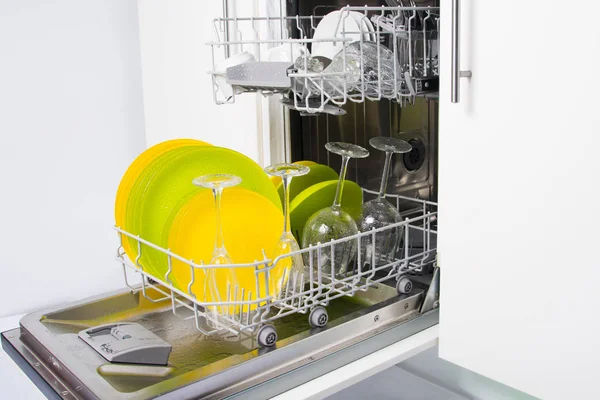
[{"x": 378, "y": 212}]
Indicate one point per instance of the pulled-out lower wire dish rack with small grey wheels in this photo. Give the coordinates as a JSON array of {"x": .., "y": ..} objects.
[{"x": 244, "y": 312}]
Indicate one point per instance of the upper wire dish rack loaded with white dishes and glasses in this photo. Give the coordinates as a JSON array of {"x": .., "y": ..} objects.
[{"x": 378, "y": 53}]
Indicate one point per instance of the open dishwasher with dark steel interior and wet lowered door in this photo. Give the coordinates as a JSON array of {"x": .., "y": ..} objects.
[{"x": 367, "y": 309}]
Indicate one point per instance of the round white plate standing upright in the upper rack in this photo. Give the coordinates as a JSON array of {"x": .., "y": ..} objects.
[{"x": 353, "y": 23}]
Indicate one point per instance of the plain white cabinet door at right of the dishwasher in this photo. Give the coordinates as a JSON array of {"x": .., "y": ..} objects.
[{"x": 519, "y": 191}]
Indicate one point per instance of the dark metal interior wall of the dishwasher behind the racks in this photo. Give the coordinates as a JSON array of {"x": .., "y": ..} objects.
[{"x": 413, "y": 174}]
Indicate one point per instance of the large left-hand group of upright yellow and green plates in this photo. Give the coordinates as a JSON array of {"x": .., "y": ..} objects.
[{"x": 157, "y": 201}]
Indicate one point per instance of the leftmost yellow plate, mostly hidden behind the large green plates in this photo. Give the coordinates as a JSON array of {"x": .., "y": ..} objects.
[{"x": 136, "y": 168}]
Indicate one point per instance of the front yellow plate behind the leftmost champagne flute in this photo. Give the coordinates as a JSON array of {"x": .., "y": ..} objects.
[{"x": 250, "y": 223}]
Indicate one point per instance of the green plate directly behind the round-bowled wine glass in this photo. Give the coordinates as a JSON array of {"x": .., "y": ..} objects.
[{"x": 320, "y": 196}]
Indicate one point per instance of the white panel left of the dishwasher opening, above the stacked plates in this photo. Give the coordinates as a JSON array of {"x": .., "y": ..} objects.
[{"x": 177, "y": 89}]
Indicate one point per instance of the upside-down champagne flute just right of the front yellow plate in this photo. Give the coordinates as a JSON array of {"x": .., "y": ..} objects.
[{"x": 291, "y": 282}]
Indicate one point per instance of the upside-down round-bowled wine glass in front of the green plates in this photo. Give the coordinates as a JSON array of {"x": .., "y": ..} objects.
[{"x": 333, "y": 222}]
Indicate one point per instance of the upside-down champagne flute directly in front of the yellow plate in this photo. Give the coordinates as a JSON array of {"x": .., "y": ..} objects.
[{"x": 218, "y": 182}]
